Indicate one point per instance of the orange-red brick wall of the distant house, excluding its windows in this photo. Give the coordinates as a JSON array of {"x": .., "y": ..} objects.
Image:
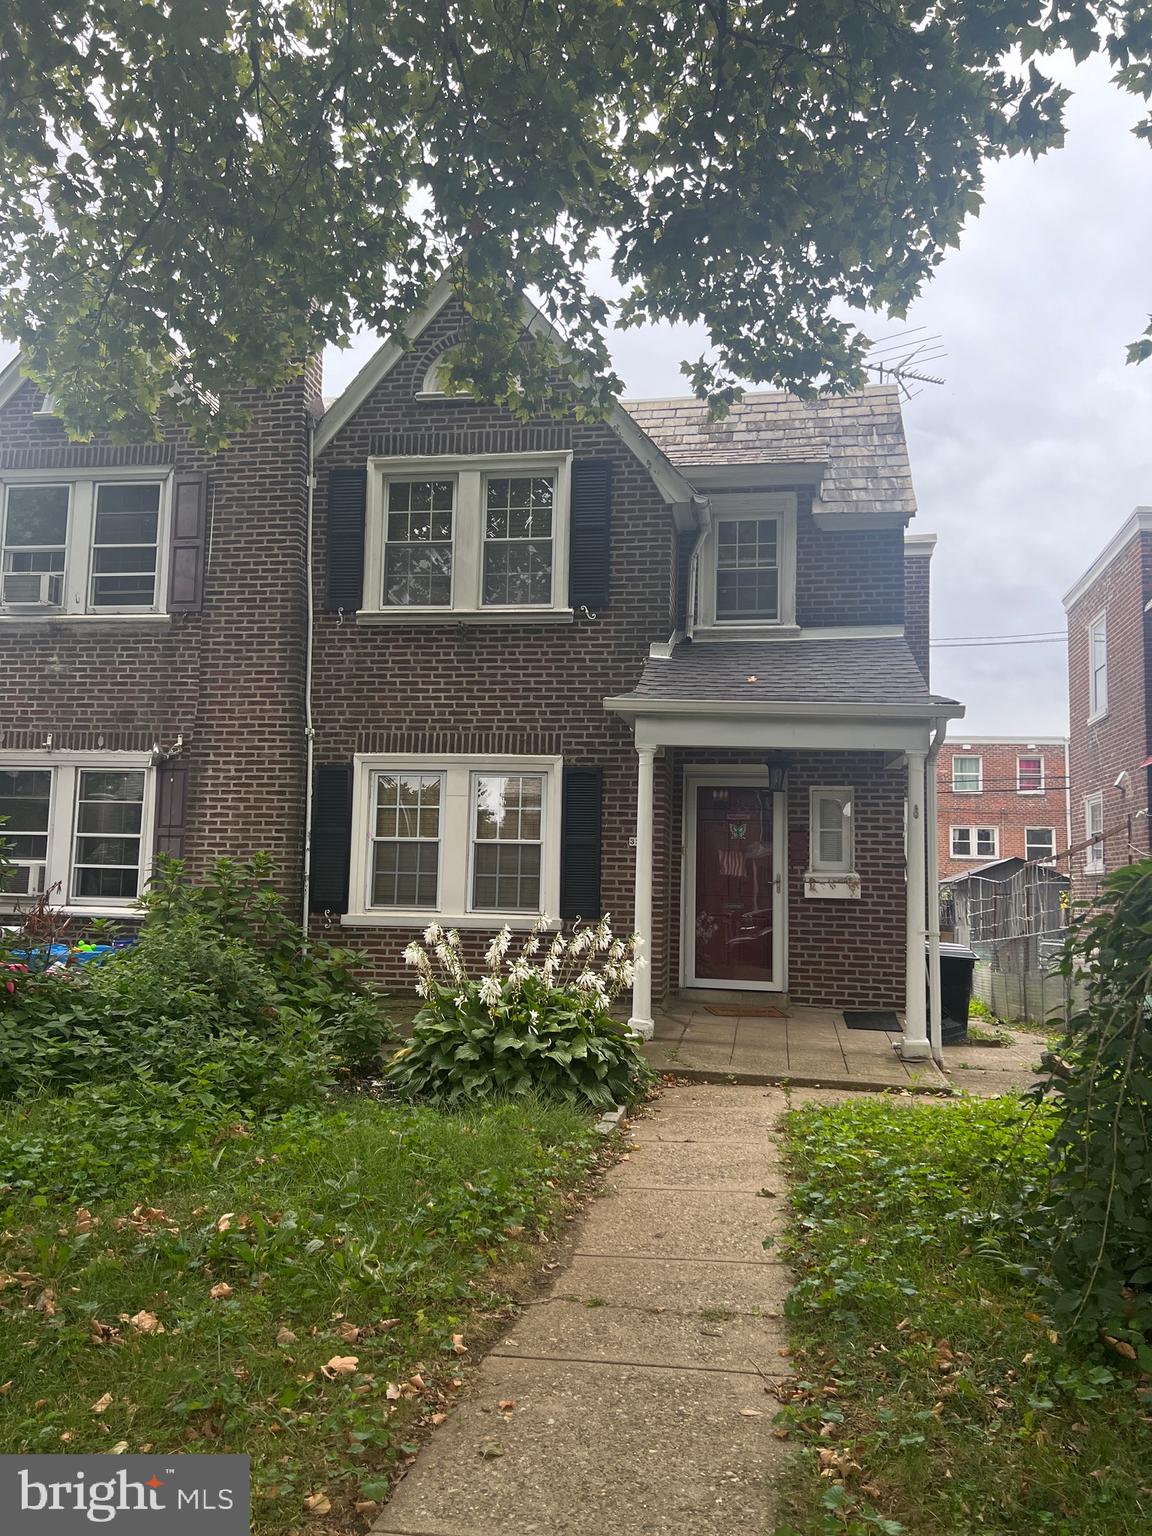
[{"x": 1001, "y": 804}]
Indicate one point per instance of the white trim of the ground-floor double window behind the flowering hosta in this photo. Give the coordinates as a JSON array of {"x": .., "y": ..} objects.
[{"x": 455, "y": 864}]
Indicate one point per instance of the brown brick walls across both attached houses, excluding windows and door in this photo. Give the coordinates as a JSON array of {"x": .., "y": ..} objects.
[{"x": 230, "y": 681}]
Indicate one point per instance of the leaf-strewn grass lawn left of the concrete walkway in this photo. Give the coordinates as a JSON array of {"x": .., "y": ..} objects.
[{"x": 306, "y": 1293}]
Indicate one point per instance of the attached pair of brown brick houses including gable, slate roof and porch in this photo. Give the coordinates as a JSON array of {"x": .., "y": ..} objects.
[{"x": 488, "y": 669}]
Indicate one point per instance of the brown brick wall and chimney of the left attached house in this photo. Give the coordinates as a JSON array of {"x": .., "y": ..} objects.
[{"x": 231, "y": 678}]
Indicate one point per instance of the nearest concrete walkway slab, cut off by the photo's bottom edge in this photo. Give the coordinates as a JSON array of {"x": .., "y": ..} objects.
[{"x": 595, "y": 1449}]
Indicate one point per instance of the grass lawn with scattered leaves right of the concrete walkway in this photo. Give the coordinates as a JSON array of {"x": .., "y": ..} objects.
[{"x": 935, "y": 1395}]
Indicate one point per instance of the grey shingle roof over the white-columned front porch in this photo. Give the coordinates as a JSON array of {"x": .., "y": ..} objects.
[{"x": 789, "y": 672}]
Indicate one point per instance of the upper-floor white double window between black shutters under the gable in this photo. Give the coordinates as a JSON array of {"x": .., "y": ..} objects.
[{"x": 482, "y": 537}]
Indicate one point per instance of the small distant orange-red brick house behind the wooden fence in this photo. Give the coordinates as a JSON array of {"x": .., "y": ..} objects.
[{"x": 1001, "y": 799}]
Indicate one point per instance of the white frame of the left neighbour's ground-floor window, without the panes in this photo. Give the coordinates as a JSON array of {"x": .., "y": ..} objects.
[{"x": 67, "y": 769}]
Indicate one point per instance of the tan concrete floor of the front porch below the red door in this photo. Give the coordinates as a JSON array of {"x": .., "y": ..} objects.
[{"x": 810, "y": 1047}]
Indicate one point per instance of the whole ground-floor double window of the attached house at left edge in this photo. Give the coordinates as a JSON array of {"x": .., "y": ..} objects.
[{"x": 78, "y": 829}]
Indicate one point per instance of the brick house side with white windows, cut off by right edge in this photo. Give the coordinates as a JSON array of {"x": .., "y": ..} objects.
[{"x": 1110, "y": 715}]
